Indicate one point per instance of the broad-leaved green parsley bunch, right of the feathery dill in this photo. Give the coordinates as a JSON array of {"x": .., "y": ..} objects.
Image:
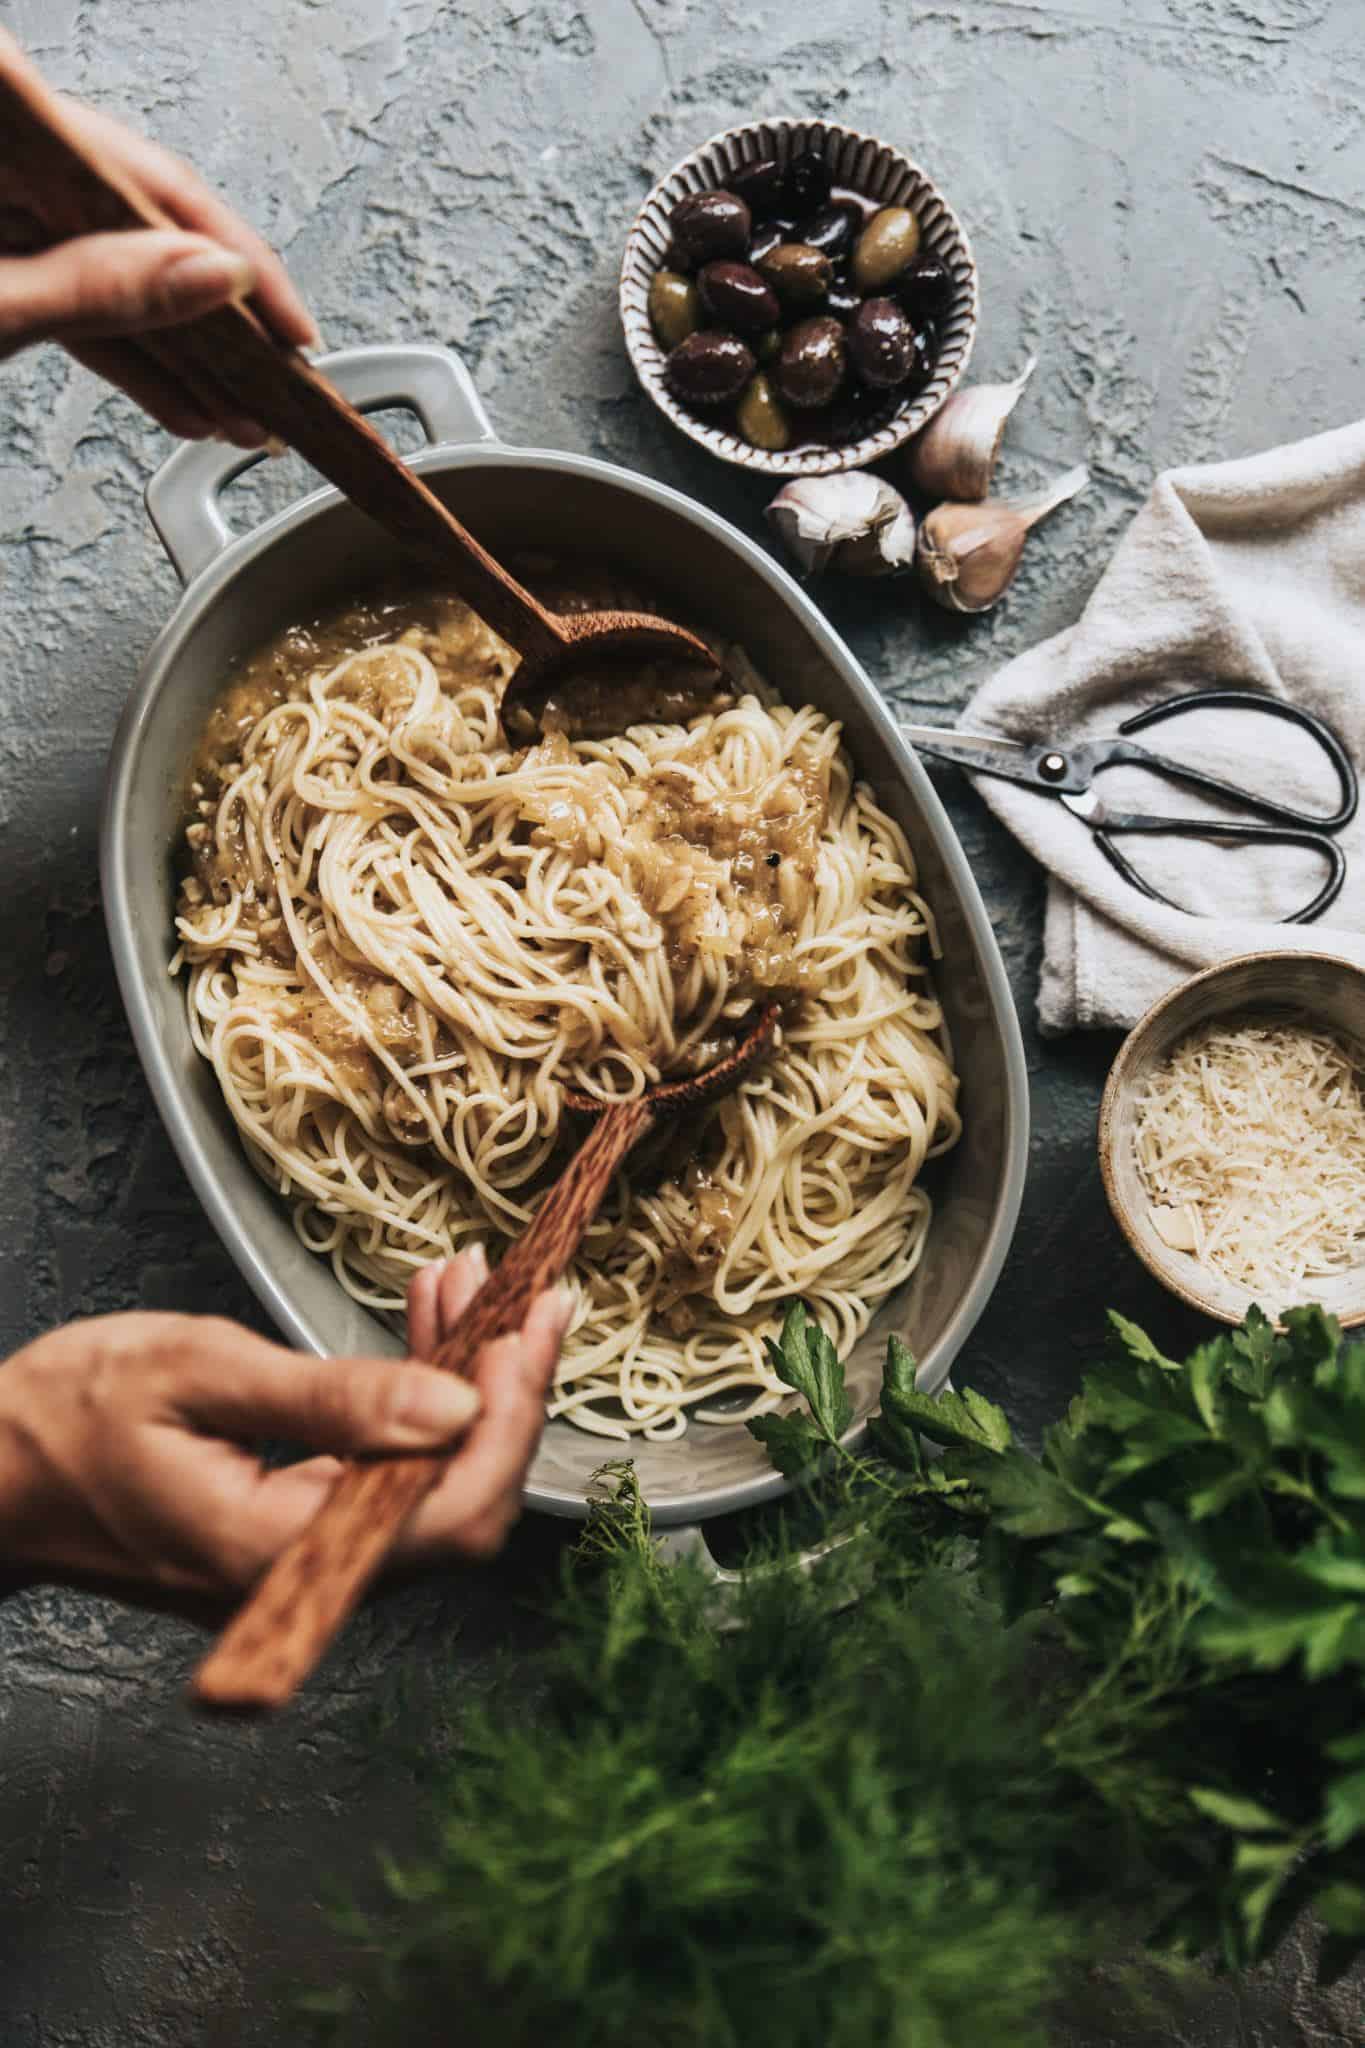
[{"x": 1196, "y": 1533}]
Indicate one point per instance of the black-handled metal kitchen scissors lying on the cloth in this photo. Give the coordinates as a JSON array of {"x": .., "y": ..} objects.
[{"x": 1069, "y": 775}]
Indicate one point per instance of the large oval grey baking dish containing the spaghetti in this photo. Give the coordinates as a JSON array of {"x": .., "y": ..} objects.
[{"x": 322, "y": 550}]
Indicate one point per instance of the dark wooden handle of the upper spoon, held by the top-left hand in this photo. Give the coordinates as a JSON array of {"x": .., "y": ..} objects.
[{"x": 54, "y": 187}]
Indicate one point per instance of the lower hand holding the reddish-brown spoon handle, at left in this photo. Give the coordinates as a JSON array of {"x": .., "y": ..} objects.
[{"x": 124, "y": 1441}]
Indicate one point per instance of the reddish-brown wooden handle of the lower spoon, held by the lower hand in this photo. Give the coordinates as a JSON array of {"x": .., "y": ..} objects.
[{"x": 292, "y": 1617}]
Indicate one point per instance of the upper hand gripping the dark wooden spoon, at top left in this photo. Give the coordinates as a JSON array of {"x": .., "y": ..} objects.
[{"x": 99, "y": 292}]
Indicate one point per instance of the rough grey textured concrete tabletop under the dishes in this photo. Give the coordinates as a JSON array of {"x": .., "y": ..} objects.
[{"x": 1168, "y": 202}]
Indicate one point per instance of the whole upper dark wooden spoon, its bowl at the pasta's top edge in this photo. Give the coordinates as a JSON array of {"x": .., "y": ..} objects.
[{"x": 56, "y": 187}]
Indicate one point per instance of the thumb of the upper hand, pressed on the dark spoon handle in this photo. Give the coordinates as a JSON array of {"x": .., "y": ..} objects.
[{"x": 126, "y": 284}]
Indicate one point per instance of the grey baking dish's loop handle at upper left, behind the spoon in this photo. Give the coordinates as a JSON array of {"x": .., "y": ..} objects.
[{"x": 185, "y": 495}]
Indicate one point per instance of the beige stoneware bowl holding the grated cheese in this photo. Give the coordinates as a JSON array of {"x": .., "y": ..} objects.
[{"x": 1305, "y": 986}]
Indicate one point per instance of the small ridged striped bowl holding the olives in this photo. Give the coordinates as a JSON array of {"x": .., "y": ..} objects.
[{"x": 867, "y": 167}]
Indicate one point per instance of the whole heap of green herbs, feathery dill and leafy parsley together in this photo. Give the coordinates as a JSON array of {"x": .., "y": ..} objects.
[{"x": 1100, "y": 1695}]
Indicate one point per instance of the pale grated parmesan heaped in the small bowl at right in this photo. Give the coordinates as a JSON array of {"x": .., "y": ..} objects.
[{"x": 1251, "y": 1146}]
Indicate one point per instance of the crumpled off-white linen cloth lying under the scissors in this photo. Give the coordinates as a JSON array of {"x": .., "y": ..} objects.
[{"x": 1239, "y": 574}]
